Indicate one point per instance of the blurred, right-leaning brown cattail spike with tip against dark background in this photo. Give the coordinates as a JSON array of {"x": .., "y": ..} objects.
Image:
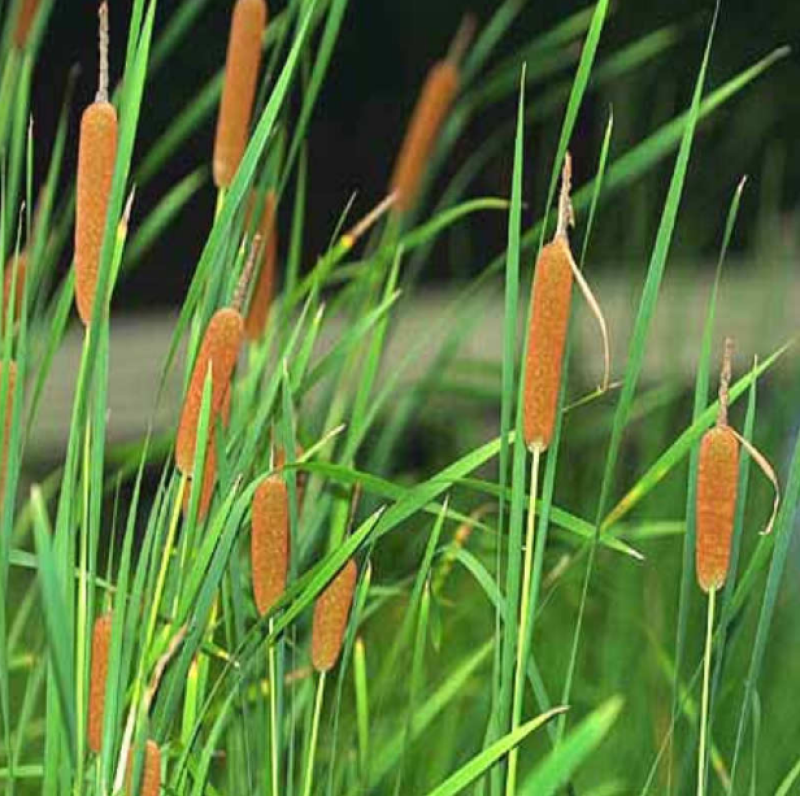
[{"x": 438, "y": 93}]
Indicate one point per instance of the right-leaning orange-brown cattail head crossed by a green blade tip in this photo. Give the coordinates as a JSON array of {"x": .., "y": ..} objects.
[{"x": 218, "y": 352}]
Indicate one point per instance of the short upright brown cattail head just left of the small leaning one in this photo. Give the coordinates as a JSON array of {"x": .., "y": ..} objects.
[{"x": 269, "y": 542}]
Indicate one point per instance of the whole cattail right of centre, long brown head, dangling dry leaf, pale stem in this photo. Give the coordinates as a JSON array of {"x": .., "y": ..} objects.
[{"x": 551, "y": 300}]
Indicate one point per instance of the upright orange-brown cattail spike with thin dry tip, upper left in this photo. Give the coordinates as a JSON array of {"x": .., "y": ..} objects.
[{"x": 97, "y": 152}]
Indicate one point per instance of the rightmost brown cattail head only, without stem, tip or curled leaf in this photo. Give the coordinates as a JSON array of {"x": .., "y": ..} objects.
[{"x": 717, "y": 482}]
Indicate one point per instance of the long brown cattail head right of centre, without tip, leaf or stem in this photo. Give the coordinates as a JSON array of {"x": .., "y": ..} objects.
[{"x": 547, "y": 334}]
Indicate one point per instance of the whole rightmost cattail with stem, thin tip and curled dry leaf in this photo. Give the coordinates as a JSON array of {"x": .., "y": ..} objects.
[{"x": 717, "y": 484}]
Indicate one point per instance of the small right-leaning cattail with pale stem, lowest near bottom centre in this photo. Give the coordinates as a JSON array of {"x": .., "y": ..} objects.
[{"x": 331, "y": 612}]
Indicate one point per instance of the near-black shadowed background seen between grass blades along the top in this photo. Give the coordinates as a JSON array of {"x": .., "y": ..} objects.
[{"x": 383, "y": 55}]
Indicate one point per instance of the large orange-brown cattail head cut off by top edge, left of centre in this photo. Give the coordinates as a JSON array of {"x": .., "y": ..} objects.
[{"x": 238, "y": 91}]
